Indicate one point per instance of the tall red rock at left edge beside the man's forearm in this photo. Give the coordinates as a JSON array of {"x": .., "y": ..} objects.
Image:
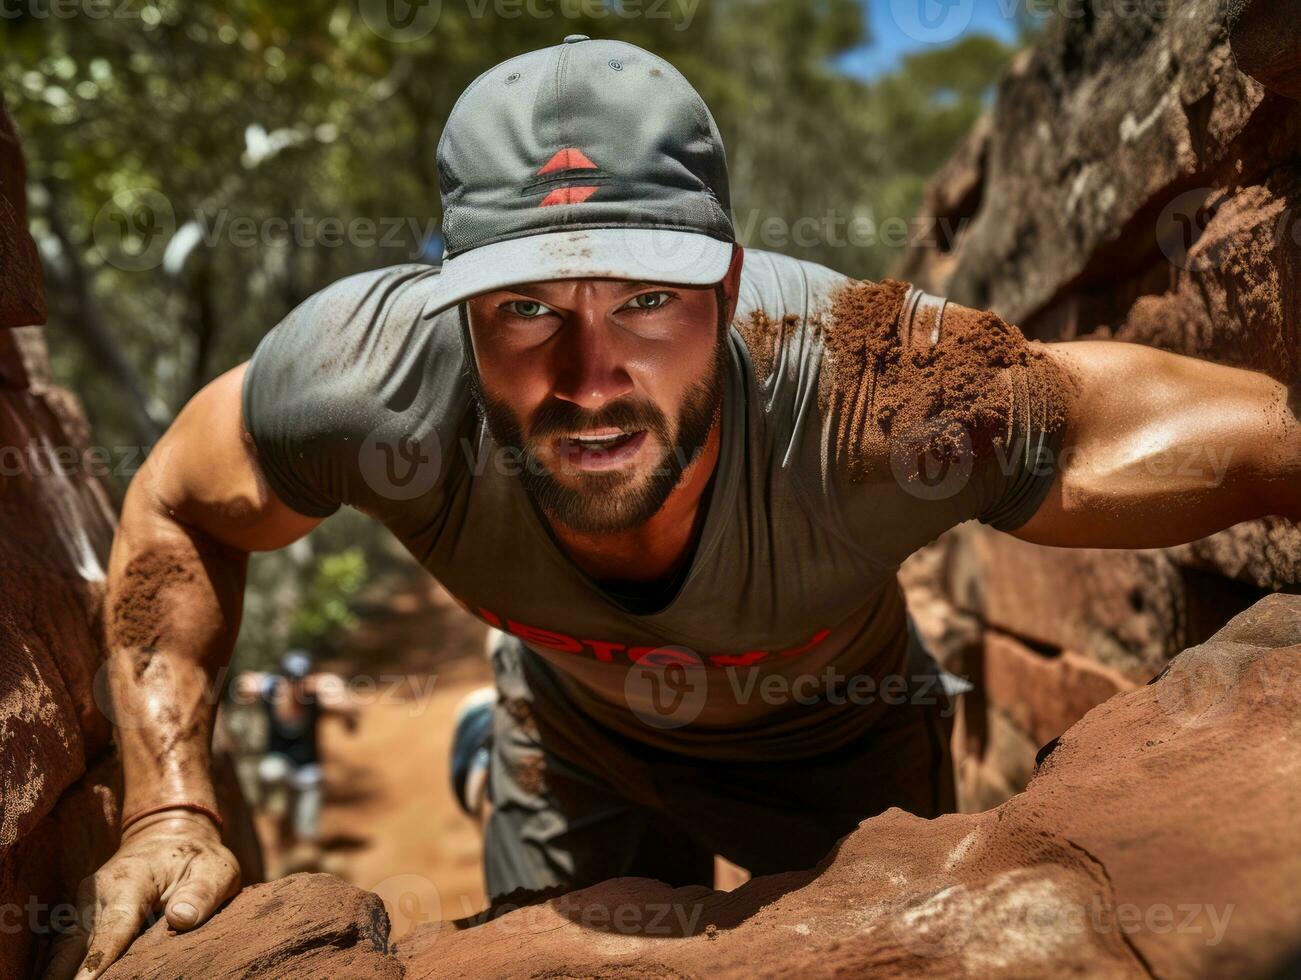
[{"x": 57, "y": 526}]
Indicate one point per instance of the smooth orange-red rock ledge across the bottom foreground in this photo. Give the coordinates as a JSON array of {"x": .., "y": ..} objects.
[{"x": 1159, "y": 839}]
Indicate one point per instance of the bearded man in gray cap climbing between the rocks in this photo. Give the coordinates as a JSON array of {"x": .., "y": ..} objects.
[{"x": 680, "y": 480}]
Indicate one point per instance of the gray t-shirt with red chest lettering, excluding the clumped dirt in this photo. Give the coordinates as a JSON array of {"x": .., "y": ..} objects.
[{"x": 361, "y": 399}]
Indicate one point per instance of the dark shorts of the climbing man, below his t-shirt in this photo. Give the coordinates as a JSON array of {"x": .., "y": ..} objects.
[{"x": 576, "y": 804}]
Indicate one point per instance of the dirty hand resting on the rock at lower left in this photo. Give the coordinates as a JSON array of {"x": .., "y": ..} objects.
[{"x": 172, "y": 861}]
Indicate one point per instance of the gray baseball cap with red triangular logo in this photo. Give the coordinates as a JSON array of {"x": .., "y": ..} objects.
[{"x": 593, "y": 159}]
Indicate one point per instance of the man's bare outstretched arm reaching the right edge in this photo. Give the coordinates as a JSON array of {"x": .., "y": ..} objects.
[{"x": 1161, "y": 450}]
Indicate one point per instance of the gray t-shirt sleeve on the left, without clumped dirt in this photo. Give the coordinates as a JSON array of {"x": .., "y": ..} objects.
[{"x": 353, "y": 396}]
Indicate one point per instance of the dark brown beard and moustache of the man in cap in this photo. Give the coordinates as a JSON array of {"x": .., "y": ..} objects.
[{"x": 606, "y": 503}]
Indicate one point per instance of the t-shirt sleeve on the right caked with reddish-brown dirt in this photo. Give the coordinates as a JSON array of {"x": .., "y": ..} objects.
[{"x": 935, "y": 415}]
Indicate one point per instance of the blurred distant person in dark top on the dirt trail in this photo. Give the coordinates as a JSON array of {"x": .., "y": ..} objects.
[{"x": 289, "y": 772}]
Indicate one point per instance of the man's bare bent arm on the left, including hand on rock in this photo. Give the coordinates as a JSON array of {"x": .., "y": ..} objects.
[{"x": 175, "y": 594}]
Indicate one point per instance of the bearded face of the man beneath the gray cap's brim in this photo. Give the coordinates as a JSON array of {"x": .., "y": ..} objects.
[{"x": 608, "y": 388}]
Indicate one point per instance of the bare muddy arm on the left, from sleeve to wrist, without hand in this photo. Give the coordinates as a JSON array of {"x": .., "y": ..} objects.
[{"x": 176, "y": 589}]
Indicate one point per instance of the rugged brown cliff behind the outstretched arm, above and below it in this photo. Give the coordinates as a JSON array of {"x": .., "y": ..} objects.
[{"x": 1138, "y": 179}]
